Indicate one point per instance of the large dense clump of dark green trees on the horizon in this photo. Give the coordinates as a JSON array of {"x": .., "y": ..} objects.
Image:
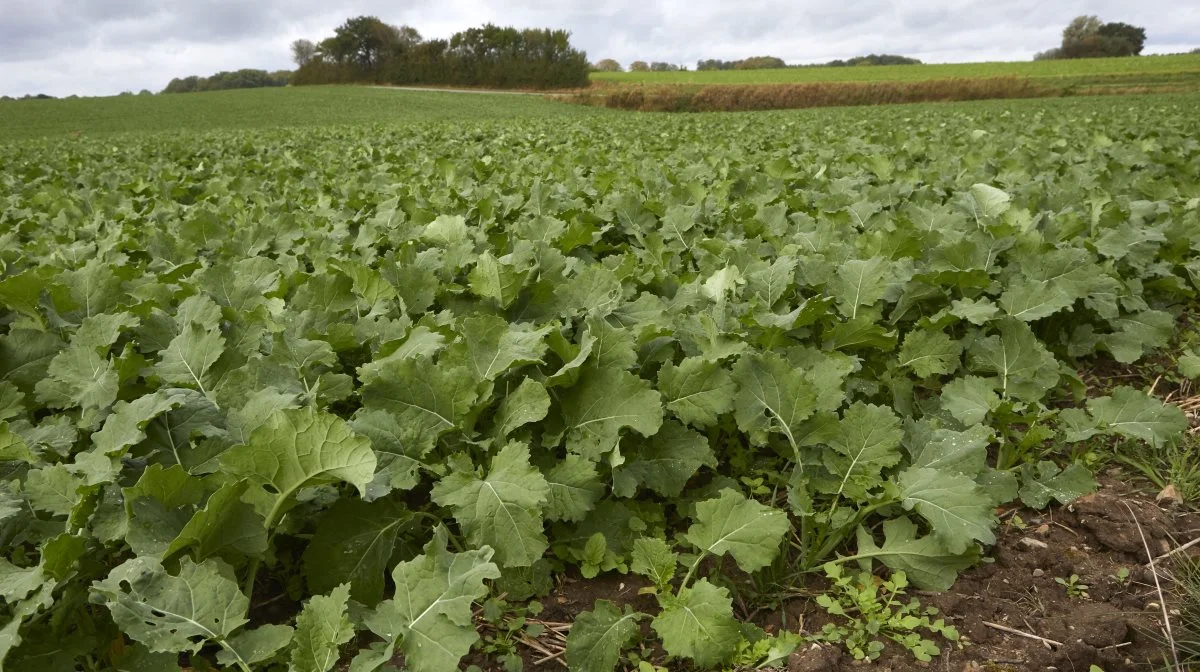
[{"x": 365, "y": 50}]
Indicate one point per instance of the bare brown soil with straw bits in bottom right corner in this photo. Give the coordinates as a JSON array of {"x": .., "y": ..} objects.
[{"x": 1115, "y": 627}]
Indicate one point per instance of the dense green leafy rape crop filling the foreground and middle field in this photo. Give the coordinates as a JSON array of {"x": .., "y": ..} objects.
[{"x": 349, "y": 383}]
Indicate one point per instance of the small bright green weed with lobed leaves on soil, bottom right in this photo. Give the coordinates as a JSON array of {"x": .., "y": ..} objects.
[{"x": 873, "y": 611}]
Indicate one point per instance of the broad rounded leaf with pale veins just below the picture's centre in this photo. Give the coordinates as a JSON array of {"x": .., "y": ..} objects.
[{"x": 603, "y": 404}]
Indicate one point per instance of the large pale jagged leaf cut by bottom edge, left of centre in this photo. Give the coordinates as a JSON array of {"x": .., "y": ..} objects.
[{"x": 430, "y": 619}]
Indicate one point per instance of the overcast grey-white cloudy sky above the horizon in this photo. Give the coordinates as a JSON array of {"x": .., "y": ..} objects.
[{"x": 104, "y": 47}]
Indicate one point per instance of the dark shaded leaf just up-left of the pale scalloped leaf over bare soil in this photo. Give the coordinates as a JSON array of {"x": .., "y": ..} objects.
[{"x": 664, "y": 464}]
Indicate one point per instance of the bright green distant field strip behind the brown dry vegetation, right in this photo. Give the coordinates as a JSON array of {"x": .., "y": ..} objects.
[{"x": 1127, "y": 71}]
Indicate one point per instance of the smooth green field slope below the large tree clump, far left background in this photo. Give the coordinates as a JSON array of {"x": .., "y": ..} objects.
[{"x": 261, "y": 109}]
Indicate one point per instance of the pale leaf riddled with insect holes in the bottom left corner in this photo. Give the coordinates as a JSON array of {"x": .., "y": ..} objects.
[{"x": 184, "y": 613}]
